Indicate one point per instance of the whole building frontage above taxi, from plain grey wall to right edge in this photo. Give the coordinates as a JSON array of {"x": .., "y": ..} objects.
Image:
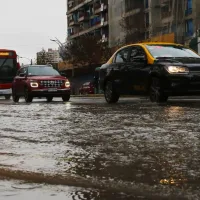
[{"x": 155, "y": 18}]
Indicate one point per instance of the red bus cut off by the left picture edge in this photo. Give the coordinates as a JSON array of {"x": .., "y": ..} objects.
[{"x": 8, "y": 70}]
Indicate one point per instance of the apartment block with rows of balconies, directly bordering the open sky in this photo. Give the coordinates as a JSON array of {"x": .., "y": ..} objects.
[{"x": 87, "y": 17}]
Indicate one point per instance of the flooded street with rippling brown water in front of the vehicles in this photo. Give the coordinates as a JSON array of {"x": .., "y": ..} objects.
[{"x": 87, "y": 149}]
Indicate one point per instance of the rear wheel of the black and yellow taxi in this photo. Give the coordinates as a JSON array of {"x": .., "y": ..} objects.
[{"x": 110, "y": 95}]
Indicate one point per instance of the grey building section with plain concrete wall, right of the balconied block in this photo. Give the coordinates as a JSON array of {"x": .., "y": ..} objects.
[{"x": 130, "y": 12}]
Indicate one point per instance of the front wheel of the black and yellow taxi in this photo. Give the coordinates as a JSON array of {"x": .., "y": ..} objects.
[{"x": 156, "y": 91}]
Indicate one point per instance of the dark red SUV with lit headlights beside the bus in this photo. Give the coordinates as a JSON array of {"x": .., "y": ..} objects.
[{"x": 40, "y": 81}]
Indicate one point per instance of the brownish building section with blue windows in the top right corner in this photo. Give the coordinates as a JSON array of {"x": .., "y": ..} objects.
[{"x": 181, "y": 17}]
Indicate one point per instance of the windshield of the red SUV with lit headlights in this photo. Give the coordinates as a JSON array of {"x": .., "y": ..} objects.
[{"x": 42, "y": 71}]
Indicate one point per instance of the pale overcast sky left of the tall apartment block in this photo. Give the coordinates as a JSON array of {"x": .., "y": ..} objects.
[{"x": 28, "y": 25}]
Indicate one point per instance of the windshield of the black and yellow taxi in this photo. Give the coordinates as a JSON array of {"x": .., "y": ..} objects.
[{"x": 159, "y": 51}]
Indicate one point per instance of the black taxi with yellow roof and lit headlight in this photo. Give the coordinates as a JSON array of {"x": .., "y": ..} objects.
[{"x": 158, "y": 70}]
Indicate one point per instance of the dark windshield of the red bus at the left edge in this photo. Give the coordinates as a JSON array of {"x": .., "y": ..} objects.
[{"x": 7, "y": 67}]
